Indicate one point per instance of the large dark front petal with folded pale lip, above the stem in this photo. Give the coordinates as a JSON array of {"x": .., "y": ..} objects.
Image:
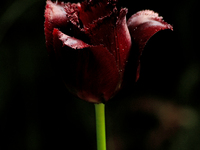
[{"x": 84, "y": 71}]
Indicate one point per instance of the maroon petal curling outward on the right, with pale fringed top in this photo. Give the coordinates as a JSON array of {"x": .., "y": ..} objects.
[{"x": 142, "y": 26}]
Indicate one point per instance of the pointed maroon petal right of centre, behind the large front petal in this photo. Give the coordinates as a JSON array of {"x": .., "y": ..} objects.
[{"x": 112, "y": 32}]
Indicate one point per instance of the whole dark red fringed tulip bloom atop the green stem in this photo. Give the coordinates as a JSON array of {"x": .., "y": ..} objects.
[{"x": 90, "y": 42}]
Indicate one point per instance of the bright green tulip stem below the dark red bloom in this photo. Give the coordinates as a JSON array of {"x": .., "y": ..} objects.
[{"x": 100, "y": 126}]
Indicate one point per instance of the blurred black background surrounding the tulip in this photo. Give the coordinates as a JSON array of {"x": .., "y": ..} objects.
[{"x": 159, "y": 112}]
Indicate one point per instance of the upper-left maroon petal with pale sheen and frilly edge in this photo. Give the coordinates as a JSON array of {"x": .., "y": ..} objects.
[{"x": 58, "y": 15}]
